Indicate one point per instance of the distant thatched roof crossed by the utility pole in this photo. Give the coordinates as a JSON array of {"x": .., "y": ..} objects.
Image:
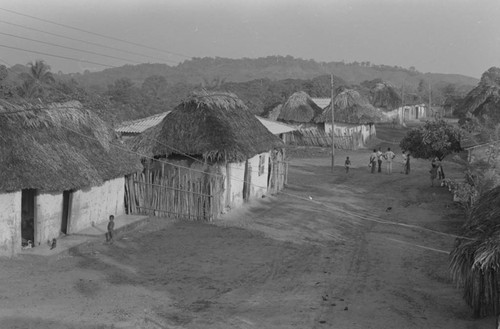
[{"x": 350, "y": 107}]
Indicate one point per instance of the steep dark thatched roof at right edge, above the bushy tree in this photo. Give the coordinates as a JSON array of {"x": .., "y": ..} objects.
[{"x": 484, "y": 100}]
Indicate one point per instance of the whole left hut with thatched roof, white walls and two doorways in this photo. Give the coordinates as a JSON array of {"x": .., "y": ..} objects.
[{"x": 62, "y": 169}]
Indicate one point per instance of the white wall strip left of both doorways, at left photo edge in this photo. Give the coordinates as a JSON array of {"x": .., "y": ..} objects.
[{"x": 10, "y": 224}]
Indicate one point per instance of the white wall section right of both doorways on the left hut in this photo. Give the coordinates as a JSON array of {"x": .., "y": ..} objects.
[{"x": 96, "y": 204}]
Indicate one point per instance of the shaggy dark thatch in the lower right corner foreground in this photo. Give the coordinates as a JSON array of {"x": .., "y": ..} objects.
[{"x": 475, "y": 259}]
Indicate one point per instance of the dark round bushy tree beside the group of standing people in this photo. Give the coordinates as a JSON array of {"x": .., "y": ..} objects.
[{"x": 434, "y": 139}]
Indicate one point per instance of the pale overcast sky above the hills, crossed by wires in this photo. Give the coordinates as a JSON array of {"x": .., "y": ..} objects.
[{"x": 447, "y": 36}]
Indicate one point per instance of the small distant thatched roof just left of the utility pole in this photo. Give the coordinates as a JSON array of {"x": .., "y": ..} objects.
[{"x": 299, "y": 108}]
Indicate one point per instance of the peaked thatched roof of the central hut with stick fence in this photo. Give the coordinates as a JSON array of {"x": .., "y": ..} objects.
[{"x": 216, "y": 126}]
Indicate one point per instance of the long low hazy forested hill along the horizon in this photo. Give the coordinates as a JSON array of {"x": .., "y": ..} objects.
[{"x": 201, "y": 70}]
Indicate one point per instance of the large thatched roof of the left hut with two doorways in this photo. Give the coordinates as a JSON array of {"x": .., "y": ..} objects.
[{"x": 58, "y": 147}]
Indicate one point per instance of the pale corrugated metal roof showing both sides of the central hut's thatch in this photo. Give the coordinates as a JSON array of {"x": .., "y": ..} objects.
[{"x": 139, "y": 125}]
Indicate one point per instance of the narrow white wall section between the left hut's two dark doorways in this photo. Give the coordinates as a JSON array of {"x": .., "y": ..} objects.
[{"x": 48, "y": 210}]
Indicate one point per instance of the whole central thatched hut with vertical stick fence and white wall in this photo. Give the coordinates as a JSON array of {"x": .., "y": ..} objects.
[{"x": 209, "y": 154}]
